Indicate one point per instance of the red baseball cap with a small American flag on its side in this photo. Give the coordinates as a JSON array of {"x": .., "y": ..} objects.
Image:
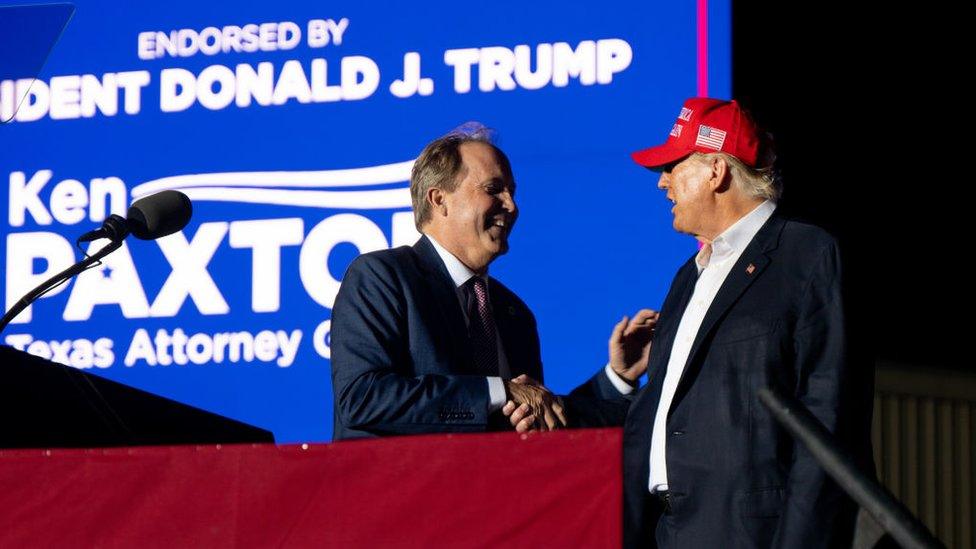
[{"x": 708, "y": 126}]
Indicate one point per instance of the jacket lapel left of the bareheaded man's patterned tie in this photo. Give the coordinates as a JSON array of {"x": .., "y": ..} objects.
[{"x": 445, "y": 295}]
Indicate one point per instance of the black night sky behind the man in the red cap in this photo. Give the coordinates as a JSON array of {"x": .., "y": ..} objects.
[{"x": 868, "y": 126}]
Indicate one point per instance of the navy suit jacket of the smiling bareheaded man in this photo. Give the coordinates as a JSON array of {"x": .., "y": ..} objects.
[{"x": 401, "y": 359}]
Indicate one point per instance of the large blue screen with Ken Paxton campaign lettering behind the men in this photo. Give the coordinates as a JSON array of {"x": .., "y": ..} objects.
[{"x": 292, "y": 126}]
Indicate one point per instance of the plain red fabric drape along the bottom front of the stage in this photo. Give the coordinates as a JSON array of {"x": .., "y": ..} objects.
[{"x": 558, "y": 489}]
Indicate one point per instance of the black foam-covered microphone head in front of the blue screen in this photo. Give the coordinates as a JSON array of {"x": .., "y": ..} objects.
[{"x": 149, "y": 218}]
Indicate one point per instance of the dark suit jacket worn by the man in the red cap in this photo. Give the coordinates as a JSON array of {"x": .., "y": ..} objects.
[{"x": 736, "y": 479}]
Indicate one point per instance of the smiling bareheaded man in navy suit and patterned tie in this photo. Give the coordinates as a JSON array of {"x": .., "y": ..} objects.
[{"x": 423, "y": 340}]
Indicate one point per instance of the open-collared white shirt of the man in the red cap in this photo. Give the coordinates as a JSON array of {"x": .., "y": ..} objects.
[{"x": 714, "y": 263}]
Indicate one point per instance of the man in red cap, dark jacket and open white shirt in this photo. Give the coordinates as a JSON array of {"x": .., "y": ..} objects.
[{"x": 705, "y": 464}]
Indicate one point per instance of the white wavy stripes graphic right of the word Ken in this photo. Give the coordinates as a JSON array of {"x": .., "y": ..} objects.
[{"x": 263, "y": 187}]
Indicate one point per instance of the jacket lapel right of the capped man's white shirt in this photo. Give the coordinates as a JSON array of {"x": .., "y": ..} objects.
[{"x": 753, "y": 261}]
